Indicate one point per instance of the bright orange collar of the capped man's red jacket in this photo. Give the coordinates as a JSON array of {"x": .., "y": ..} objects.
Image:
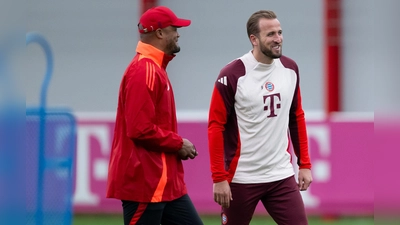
[{"x": 155, "y": 54}]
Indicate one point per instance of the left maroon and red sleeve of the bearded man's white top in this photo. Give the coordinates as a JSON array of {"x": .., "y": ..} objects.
[{"x": 223, "y": 133}]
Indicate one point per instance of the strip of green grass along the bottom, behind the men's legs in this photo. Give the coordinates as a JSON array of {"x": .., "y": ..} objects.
[{"x": 102, "y": 219}]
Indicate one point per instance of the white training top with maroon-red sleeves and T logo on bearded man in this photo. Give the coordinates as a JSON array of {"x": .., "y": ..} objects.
[{"x": 255, "y": 110}]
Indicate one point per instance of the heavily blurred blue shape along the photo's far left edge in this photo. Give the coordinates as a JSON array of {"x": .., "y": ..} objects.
[{"x": 12, "y": 145}]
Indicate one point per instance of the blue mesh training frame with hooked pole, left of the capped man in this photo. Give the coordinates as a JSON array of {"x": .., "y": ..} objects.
[{"x": 50, "y": 151}]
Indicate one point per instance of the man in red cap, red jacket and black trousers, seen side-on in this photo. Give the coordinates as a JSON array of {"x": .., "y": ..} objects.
[{"x": 145, "y": 169}]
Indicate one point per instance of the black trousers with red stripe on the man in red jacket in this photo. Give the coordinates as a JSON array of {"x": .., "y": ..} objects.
[{"x": 177, "y": 212}]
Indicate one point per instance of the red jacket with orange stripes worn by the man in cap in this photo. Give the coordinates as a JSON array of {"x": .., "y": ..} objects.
[{"x": 144, "y": 165}]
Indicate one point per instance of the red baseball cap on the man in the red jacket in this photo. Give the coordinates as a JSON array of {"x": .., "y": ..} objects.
[{"x": 160, "y": 17}]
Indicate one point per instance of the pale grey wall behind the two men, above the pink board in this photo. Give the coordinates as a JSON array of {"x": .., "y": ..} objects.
[{"x": 93, "y": 42}]
